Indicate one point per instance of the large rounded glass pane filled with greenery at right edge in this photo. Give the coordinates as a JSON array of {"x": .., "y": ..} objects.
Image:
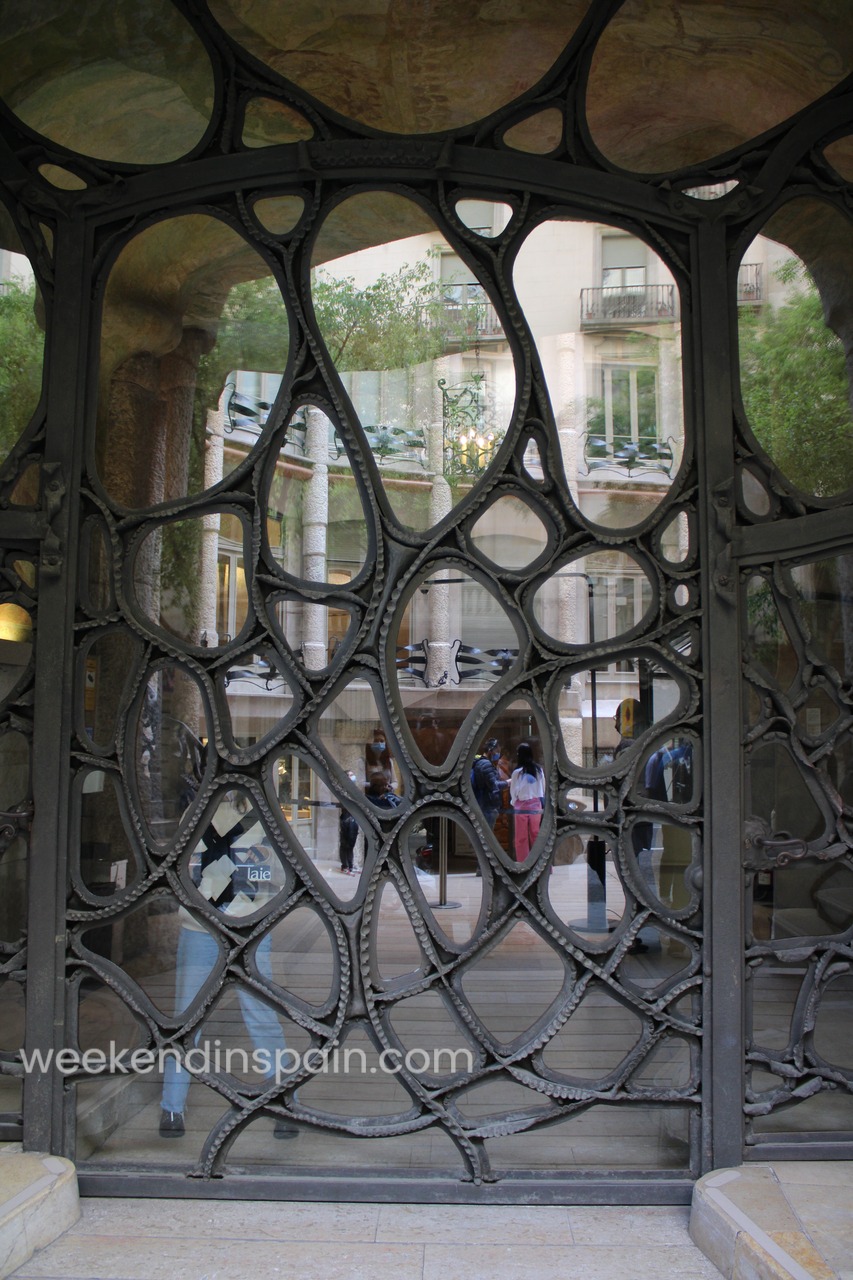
[{"x": 793, "y": 371}]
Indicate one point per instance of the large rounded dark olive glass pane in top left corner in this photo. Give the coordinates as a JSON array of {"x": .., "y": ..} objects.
[{"x": 113, "y": 74}]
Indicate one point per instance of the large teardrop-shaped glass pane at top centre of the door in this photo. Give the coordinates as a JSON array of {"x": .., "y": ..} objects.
[{"x": 422, "y": 355}]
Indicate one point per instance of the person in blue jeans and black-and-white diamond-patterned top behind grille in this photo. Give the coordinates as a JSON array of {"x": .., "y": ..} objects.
[{"x": 232, "y": 870}]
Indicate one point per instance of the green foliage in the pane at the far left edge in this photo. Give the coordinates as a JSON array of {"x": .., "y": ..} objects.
[{"x": 22, "y": 346}]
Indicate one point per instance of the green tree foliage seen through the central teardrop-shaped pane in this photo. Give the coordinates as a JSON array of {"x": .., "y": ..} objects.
[{"x": 394, "y": 323}]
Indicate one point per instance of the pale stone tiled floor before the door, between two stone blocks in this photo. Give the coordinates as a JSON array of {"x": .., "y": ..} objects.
[{"x": 120, "y": 1240}]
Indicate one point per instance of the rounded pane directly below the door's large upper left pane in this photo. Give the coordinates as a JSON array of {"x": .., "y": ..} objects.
[{"x": 190, "y": 578}]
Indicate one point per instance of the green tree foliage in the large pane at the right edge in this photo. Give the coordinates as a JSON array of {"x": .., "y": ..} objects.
[{"x": 796, "y": 391}]
